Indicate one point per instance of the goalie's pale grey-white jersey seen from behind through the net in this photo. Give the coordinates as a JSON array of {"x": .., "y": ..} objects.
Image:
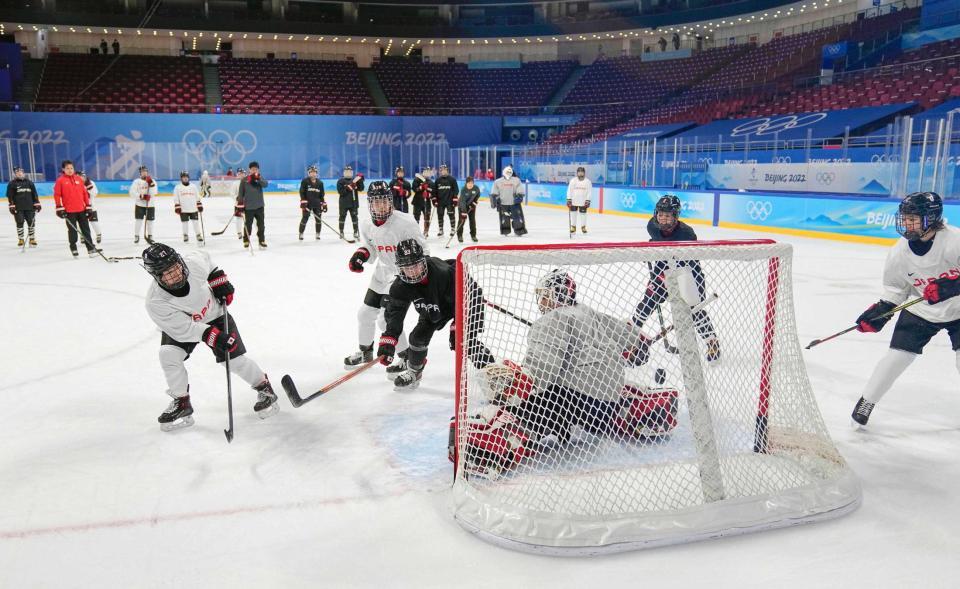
[{"x": 580, "y": 350}]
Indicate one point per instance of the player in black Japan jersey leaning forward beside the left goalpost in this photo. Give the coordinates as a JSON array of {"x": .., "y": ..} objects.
[{"x": 429, "y": 284}]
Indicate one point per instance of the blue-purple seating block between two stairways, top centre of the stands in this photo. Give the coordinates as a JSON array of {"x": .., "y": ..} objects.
[{"x": 453, "y": 88}]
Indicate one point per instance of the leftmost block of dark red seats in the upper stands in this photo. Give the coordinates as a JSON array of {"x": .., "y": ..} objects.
[{"x": 129, "y": 83}]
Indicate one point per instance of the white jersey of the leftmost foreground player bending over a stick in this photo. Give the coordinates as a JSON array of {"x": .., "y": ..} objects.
[{"x": 185, "y": 318}]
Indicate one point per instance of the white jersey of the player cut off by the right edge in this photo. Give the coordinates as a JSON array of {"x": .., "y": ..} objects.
[{"x": 906, "y": 274}]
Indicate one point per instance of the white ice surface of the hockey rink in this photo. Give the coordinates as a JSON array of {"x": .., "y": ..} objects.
[{"x": 351, "y": 490}]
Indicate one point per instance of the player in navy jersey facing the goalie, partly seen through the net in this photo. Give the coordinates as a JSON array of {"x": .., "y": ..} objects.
[{"x": 665, "y": 225}]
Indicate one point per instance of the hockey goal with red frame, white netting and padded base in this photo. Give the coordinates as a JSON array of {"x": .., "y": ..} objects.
[{"x": 574, "y": 433}]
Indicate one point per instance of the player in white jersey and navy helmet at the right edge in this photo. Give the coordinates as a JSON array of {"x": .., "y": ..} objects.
[{"x": 925, "y": 263}]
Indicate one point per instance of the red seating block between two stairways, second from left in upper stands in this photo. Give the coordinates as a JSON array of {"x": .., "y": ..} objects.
[{"x": 292, "y": 86}]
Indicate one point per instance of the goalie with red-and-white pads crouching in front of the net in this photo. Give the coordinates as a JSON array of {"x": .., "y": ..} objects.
[{"x": 572, "y": 375}]
